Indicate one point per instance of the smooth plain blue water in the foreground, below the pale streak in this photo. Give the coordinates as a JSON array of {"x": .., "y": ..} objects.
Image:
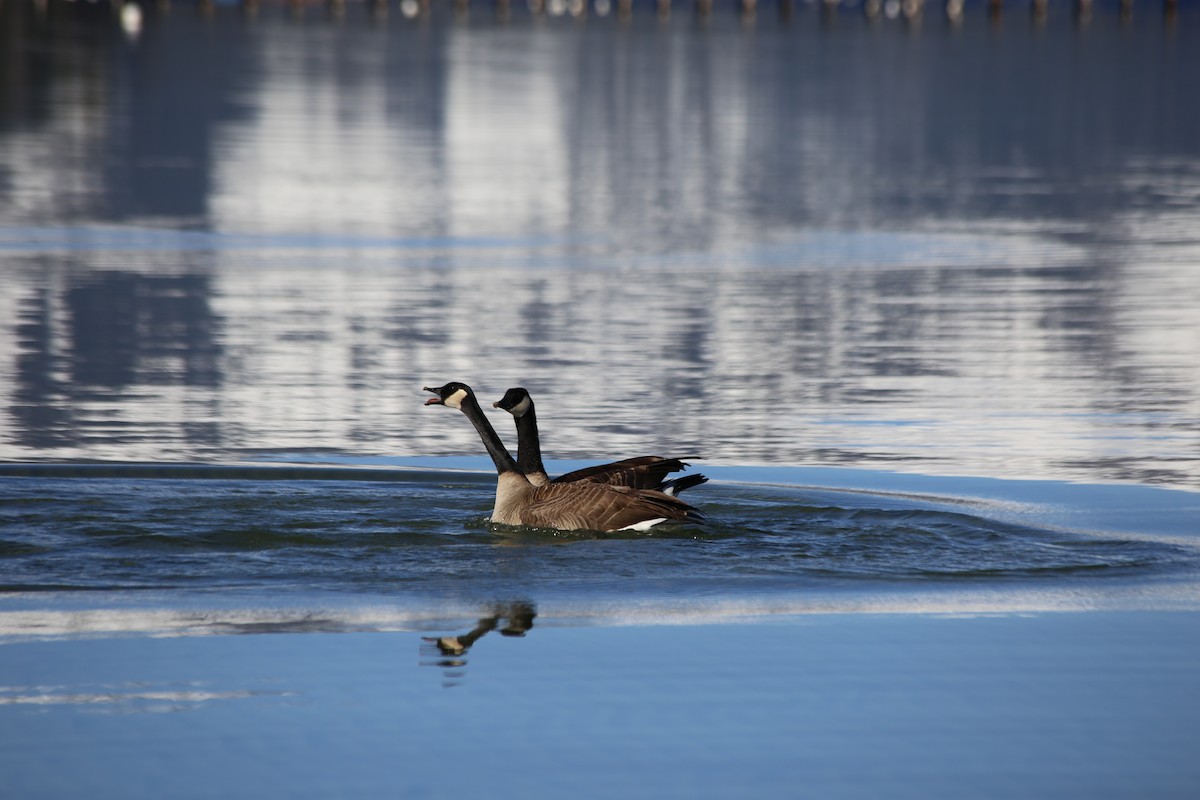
[{"x": 843, "y": 707}]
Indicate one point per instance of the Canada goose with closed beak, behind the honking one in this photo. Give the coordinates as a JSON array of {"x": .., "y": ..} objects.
[{"x": 640, "y": 473}]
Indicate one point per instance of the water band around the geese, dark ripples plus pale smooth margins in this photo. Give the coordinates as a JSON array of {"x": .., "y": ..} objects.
[{"x": 279, "y": 545}]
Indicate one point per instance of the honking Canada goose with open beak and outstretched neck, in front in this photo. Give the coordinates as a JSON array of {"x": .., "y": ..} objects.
[{"x": 580, "y": 506}]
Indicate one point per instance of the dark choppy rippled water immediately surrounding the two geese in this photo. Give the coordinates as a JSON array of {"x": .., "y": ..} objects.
[{"x": 413, "y": 534}]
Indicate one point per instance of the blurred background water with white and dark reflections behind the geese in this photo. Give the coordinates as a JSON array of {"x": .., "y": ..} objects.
[{"x": 957, "y": 239}]
